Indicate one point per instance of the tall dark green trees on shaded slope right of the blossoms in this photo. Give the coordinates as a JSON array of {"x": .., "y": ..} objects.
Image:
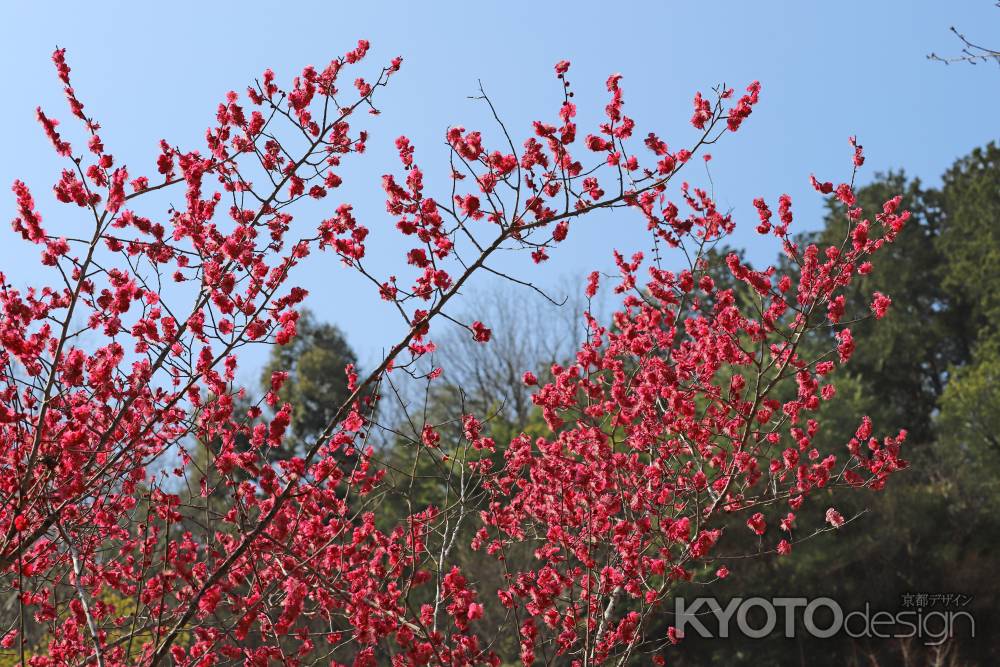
[{"x": 931, "y": 366}]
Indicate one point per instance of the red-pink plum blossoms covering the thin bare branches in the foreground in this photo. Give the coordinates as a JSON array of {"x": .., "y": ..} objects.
[{"x": 689, "y": 406}]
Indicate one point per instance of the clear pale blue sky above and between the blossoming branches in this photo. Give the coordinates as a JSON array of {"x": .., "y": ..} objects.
[{"x": 829, "y": 70}]
